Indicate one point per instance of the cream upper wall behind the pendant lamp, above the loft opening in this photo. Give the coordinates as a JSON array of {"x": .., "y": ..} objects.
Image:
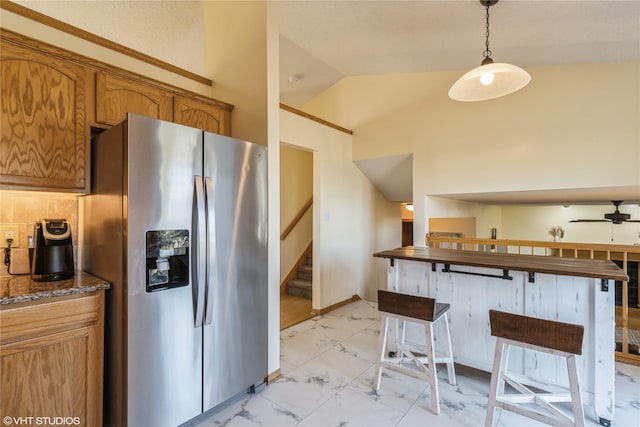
[{"x": 573, "y": 126}]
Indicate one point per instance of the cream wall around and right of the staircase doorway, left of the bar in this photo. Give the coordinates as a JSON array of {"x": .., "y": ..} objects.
[{"x": 351, "y": 219}]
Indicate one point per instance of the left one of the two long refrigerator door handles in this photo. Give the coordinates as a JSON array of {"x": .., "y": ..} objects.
[{"x": 201, "y": 249}]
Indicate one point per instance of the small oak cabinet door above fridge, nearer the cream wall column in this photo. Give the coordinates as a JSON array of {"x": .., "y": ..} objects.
[{"x": 201, "y": 114}]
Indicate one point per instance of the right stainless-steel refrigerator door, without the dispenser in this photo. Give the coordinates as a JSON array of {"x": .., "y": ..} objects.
[{"x": 235, "y": 331}]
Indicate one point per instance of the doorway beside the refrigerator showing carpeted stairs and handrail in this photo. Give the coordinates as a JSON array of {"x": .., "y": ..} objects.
[{"x": 296, "y": 235}]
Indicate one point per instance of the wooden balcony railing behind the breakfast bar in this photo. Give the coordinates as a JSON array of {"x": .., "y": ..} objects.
[{"x": 626, "y": 256}]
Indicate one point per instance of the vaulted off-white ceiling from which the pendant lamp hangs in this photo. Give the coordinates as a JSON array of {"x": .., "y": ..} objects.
[{"x": 323, "y": 41}]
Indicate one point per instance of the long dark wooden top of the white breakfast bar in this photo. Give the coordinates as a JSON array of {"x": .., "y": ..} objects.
[{"x": 596, "y": 268}]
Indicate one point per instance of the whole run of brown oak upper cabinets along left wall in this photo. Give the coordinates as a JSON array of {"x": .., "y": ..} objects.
[{"x": 51, "y": 98}]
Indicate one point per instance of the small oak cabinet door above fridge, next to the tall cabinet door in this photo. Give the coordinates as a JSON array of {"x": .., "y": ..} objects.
[{"x": 116, "y": 96}]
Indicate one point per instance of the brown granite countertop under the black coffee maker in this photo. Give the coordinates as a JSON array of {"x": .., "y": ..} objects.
[{"x": 15, "y": 289}]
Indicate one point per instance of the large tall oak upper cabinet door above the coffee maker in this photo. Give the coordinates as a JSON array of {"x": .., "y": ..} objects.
[{"x": 44, "y": 136}]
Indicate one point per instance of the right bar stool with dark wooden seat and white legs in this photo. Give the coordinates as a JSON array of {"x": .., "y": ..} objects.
[{"x": 547, "y": 336}]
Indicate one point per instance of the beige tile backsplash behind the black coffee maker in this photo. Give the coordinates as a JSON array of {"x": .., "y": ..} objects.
[{"x": 19, "y": 210}]
